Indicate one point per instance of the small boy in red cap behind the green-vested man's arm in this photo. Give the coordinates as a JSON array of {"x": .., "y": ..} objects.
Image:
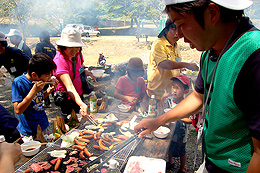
[{"x": 180, "y": 86}]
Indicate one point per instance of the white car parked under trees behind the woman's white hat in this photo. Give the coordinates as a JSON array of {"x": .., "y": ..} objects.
[{"x": 85, "y": 30}]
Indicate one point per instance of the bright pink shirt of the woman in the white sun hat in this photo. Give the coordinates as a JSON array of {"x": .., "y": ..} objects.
[{"x": 64, "y": 66}]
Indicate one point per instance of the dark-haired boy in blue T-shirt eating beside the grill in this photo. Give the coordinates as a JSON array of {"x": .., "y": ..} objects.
[{"x": 28, "y": 94}]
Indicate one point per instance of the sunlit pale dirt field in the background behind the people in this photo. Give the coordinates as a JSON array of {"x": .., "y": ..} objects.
[{"x": 118, "y": 48}]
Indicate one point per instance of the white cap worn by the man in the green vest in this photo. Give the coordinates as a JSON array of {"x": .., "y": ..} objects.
[{"x": 230, "y": 4}]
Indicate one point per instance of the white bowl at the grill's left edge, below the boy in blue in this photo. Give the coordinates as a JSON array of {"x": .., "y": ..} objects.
[{"x": 31, "y": 148}]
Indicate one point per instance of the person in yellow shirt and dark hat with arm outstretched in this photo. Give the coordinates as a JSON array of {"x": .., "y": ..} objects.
[{"x": 165, "y": 61}]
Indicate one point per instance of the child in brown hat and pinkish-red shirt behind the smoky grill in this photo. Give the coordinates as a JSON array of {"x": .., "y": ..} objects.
[{"x": 131, "y": 88}]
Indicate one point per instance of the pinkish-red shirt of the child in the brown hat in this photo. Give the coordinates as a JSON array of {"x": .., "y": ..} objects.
[{"x": 128, "y": 89}]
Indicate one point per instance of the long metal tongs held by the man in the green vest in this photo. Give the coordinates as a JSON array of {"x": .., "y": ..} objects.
[{"x": 113, "y": 152}]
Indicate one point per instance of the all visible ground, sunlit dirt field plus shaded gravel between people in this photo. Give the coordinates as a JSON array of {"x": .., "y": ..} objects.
[{"x": 118, "y": 48}]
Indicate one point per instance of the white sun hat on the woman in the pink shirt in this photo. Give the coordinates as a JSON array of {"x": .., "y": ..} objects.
[{"x": 70, "y": 37}]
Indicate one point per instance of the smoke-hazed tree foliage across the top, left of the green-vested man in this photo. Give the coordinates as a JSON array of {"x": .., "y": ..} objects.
[{"x": 48, "y": 14}]
